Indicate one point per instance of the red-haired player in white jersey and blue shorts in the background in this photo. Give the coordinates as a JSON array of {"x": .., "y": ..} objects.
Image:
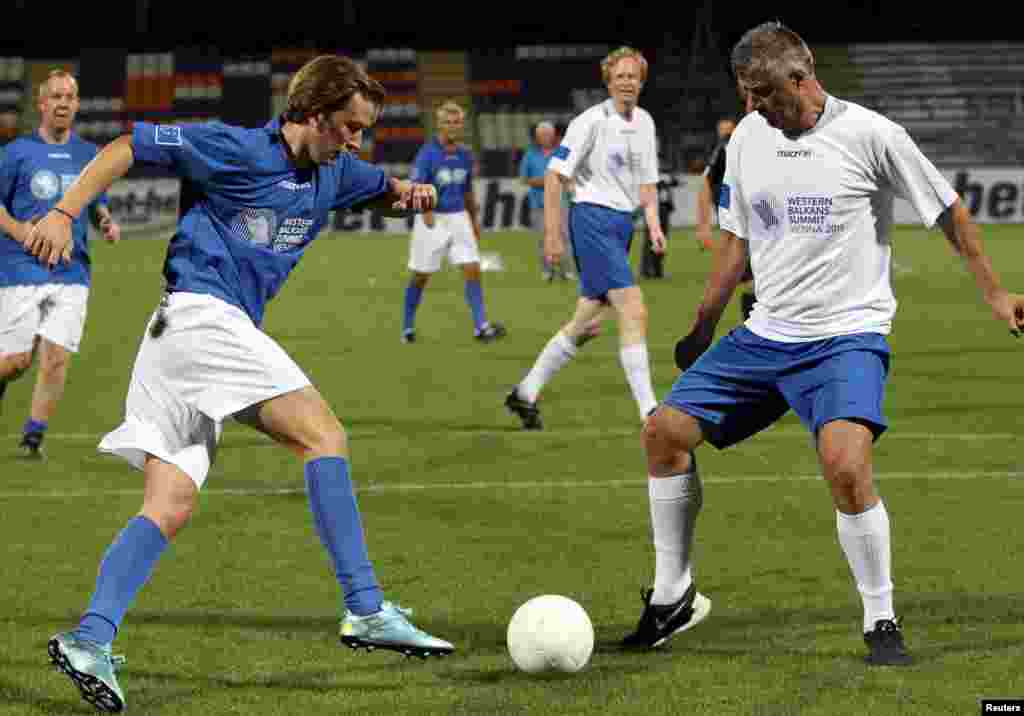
[{"x": 610, "y": 155}]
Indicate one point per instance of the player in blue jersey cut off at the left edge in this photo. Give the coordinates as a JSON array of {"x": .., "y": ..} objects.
[{"x": 42, "y": 313}]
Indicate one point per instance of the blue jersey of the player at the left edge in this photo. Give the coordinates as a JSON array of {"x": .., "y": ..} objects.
[{"x": 34, "y": 177}]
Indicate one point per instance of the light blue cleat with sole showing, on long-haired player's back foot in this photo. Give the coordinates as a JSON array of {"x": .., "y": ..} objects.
[{"x": 92, "y": 667}]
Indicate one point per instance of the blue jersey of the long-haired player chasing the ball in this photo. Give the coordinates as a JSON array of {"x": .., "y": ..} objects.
[{"x": 247, "y": 213}]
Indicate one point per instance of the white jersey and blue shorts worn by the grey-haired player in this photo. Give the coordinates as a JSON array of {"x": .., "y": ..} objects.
[{"x": 817, "y": 210}]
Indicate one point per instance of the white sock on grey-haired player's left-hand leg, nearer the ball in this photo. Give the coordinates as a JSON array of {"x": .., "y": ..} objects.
[{"x": 675, "y": 503}]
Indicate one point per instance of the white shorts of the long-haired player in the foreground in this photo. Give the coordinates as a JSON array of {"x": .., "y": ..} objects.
[{"x": 210, "y": 362}]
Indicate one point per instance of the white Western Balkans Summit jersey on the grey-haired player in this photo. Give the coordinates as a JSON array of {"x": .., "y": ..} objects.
[{"x": 818, "y": 213}]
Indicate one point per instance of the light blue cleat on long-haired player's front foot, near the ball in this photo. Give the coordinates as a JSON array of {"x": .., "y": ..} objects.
[{"x": 391, "y": 629}]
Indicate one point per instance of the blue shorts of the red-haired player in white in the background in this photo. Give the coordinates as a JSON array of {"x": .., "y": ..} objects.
[{"x": 602, "y": 239}]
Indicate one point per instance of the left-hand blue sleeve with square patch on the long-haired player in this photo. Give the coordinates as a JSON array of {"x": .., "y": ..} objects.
[{"x": 197, "y": 152}]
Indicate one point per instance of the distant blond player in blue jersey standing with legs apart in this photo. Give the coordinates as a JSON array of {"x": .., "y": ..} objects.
[{"x": 453, "y": 229}]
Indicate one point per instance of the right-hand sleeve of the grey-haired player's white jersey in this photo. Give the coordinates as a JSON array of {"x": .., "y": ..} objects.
[{"x": 913, "y": 177}]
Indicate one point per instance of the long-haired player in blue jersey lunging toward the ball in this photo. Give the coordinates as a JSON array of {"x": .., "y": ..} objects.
[{"x": 252, "y": 200}]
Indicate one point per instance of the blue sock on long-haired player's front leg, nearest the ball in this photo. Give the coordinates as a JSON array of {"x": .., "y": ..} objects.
[{"x": 336, "y": 516}]
